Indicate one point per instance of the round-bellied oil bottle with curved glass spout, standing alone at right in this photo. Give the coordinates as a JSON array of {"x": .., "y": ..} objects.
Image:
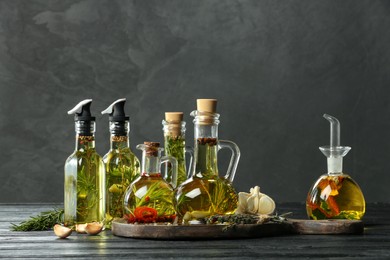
[{"x": 335, "y": 195}]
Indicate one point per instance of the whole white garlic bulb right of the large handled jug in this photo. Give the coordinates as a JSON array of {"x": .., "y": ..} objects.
[{"x": 255, "y": 202}]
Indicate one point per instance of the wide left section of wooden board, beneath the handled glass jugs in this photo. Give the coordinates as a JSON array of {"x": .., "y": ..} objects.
[{"x": 201, "y": 231}]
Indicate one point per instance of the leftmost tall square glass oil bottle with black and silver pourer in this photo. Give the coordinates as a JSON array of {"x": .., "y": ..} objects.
[{"x": 84, "y": 198}]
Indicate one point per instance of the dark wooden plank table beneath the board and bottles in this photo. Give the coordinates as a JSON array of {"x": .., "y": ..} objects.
[{"x": 373, "y": 244}]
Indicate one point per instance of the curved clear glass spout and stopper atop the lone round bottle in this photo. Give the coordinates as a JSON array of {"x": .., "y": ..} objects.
[{"x": 334, "y": 152}]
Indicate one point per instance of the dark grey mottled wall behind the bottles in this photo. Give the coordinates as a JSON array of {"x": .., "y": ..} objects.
[{"x": 274, "y": 66}]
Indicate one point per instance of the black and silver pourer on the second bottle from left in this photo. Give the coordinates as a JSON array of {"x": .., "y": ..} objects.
[{"x": 119, "y": 122}]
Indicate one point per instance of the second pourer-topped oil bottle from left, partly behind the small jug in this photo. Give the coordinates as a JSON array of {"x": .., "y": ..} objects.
[{"x": 121, "y": 165}]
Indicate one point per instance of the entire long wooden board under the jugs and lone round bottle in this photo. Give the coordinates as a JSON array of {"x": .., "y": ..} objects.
[{"x": 202, "y": 231}]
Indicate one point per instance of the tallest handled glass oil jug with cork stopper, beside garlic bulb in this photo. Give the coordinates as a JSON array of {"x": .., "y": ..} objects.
[{"x": 206, "y": 192}]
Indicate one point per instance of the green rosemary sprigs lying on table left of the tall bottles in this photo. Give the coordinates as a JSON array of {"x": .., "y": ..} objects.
[{"x": 43, "y": 221}]
